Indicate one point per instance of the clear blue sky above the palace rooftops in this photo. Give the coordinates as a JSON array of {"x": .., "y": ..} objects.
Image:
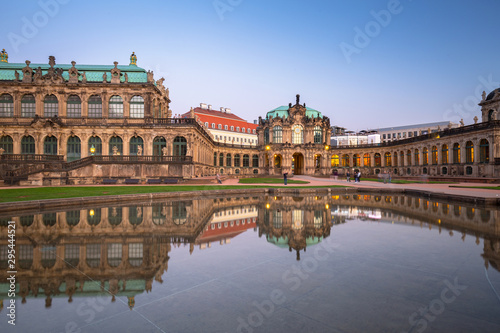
[{"x": 429, "y": 61}]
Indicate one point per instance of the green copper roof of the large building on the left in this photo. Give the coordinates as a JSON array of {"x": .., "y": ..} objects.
[{"x": 93, "y": 73}]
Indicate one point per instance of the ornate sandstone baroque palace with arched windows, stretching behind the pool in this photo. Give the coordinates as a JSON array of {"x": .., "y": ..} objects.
[{"x": 86, "y": 124}]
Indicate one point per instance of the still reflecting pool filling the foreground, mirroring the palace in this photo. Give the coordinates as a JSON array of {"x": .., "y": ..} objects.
[{"x": 320, "y": 263}]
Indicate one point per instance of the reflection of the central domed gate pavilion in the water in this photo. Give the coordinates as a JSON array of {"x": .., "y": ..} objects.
[{"x": 295, "y": 222}]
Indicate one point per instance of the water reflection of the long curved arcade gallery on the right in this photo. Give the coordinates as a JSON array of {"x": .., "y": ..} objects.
[{"x": 453, "y": 217}]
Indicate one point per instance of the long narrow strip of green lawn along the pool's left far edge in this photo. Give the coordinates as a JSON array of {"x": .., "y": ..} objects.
[{"x": 41, "y": 193}]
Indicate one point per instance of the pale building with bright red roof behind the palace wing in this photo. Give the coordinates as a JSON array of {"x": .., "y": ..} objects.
[{"x": 225, "y": 126}]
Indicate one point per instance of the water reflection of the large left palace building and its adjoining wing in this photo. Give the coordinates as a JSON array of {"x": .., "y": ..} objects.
[{"x": 105, "y": 251}]
